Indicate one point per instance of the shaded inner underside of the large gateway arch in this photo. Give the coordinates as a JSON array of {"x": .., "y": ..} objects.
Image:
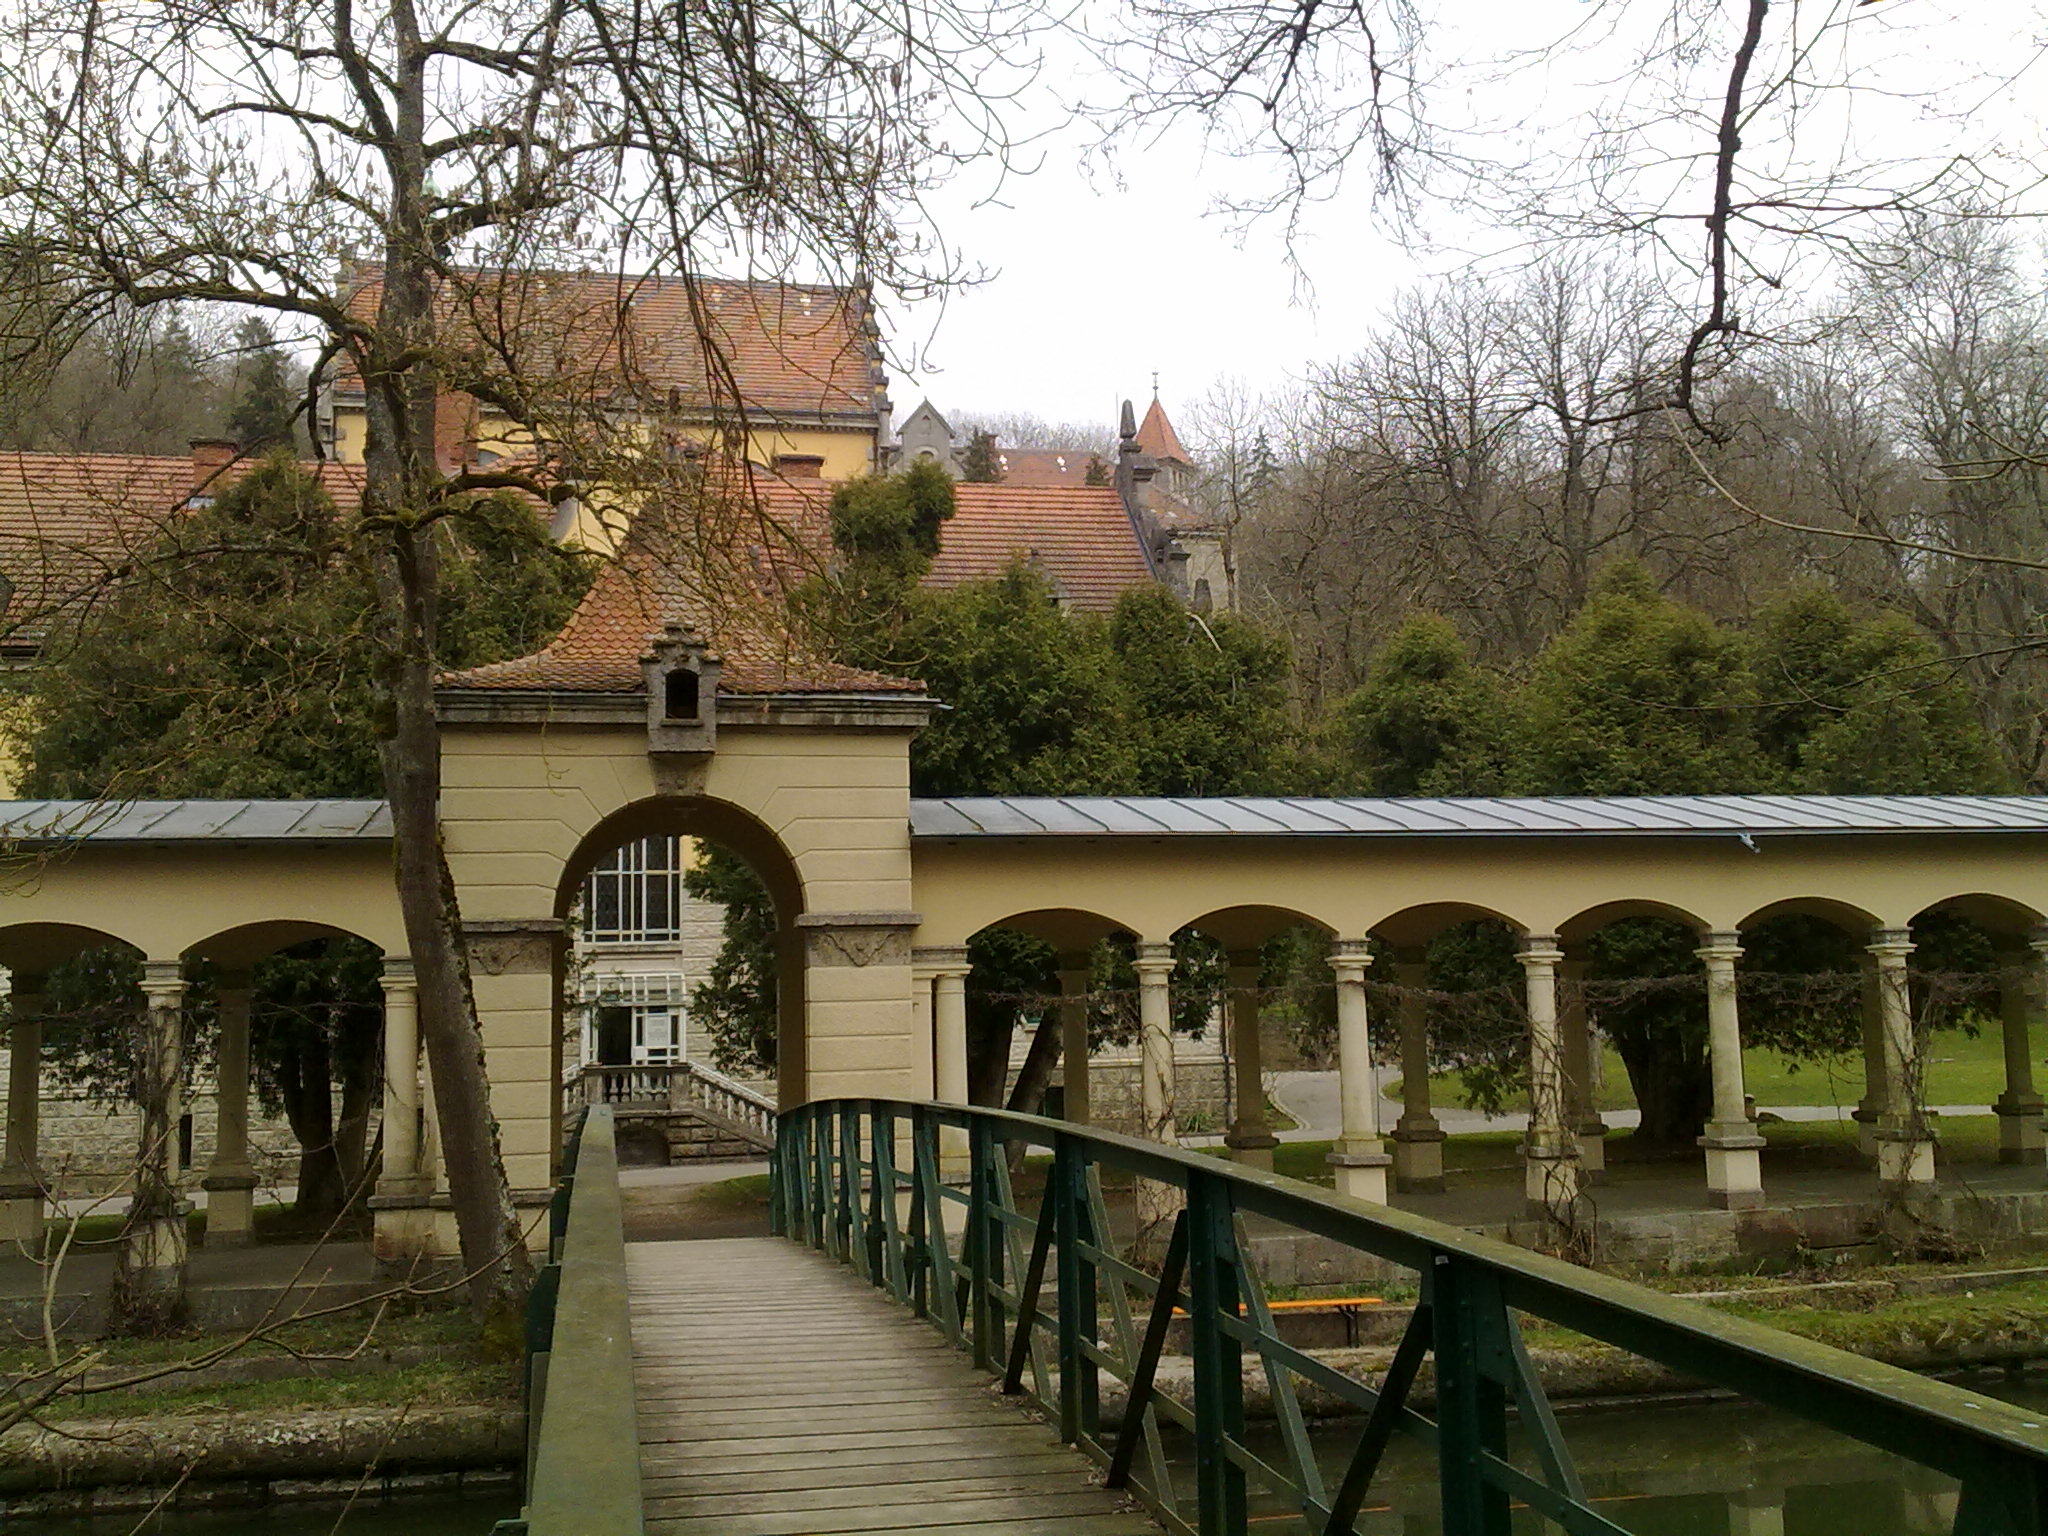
[{"x": 738, "y": 830}]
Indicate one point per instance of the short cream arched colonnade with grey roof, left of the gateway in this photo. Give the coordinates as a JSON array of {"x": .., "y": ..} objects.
[{"x": 173, "y": 886}]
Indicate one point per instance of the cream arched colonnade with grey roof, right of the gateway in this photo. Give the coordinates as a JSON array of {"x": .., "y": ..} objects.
[{"x": 1555, "y": 873}]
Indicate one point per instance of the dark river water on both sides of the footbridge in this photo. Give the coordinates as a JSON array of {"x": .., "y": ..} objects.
[{"x": 1703, "y": 1469}]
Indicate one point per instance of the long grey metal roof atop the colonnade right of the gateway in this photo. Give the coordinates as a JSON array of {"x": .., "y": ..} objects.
[{"x": 1654, "y": 816}]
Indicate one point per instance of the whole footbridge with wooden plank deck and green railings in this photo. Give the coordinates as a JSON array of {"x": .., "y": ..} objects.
[{"x": 916, "y": 1353}]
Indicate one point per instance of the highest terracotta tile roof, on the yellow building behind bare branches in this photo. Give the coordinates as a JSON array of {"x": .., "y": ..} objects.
[{"x": 790, "y": 349}]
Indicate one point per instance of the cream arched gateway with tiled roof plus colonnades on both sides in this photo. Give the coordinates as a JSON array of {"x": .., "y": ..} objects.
[{"x": 804, "y": 771}]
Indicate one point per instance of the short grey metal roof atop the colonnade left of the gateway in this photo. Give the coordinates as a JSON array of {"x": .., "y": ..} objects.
[{"x": 239, "y": 822}]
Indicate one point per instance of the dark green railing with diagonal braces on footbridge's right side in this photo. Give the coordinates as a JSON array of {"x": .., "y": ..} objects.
[{"x": 1050, "y": 1302}]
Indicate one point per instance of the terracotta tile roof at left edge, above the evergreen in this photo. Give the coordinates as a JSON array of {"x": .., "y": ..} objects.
[{"x": 75, "y": 525}]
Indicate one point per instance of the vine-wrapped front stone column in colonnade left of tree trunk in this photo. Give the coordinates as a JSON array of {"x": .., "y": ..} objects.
[{"x": 151, "y": 1269}]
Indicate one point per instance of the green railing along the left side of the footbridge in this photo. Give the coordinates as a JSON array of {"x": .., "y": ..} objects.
[{"x": 583, "y": 1428}]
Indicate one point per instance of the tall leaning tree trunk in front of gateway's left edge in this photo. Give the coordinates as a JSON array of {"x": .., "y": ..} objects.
[{"x": 400, "y": 478}]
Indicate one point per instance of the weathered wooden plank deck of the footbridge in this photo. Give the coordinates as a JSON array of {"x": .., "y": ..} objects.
[{"x": 779, "y": 1396}]
